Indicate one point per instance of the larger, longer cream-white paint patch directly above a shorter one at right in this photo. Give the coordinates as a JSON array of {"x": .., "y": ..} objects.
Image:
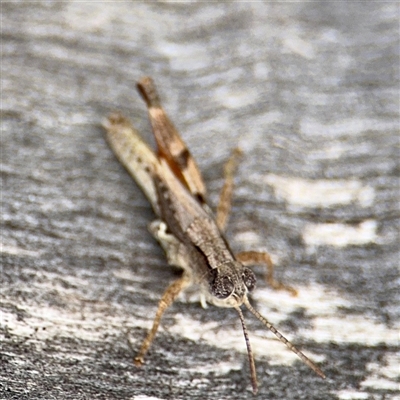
[{"x": 320, "y": 193}]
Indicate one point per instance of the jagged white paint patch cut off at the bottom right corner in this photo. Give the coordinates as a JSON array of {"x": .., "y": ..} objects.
[{"x": 385, "y": 375}]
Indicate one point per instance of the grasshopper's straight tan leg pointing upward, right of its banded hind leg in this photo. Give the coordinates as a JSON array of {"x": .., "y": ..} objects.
[{"x": 225, "y": 197}]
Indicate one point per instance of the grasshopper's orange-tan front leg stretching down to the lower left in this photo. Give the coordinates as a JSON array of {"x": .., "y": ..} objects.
[{"x": 167, "y": 299}]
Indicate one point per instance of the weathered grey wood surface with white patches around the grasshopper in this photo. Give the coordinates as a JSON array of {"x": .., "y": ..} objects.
[{"x": 309, "y": 91}]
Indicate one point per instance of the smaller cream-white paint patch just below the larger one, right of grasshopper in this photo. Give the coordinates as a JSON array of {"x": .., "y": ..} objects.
[{"x": 340, "y": 235}]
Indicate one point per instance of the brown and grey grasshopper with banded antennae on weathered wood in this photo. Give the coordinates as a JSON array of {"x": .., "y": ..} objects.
[{"x": 191, "y": 236}]
